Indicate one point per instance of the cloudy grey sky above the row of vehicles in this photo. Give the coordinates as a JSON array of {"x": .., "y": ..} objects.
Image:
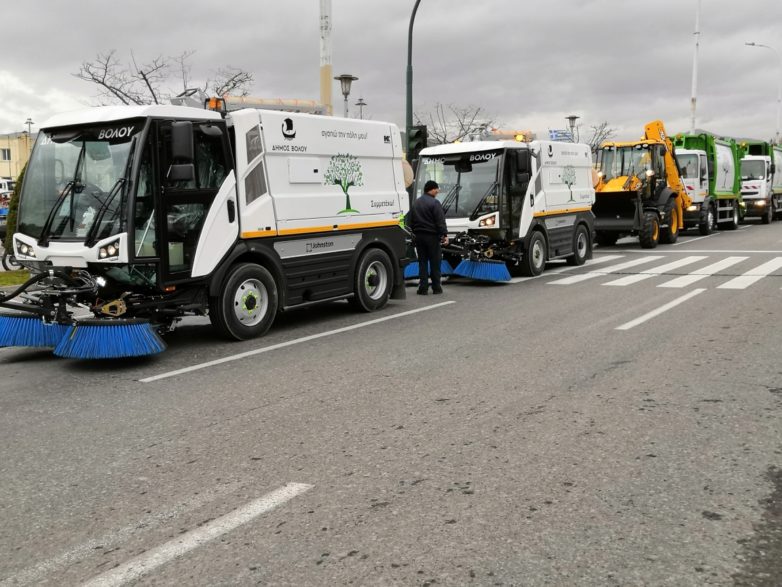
[{"x": 529, "y": 64}]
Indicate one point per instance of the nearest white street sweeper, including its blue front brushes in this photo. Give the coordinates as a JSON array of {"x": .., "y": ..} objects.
[{"x": 139, "y": 215}]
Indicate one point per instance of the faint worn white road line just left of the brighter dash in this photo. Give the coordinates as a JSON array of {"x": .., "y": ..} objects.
[{"x": 35, "y": 575}]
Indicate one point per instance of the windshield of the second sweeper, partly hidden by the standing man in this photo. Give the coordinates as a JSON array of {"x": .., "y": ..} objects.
[{"x": 467, "y": 181}]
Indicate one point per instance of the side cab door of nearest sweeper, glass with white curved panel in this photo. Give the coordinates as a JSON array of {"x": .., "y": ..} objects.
[{"x": 198, "y": 217}]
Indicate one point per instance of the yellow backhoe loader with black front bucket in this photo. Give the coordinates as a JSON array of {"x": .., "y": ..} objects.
[{"x": 639, "y": 190}]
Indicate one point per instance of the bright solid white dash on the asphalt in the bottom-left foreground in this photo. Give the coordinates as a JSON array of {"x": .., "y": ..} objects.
[{"x": 150, "y": 560}]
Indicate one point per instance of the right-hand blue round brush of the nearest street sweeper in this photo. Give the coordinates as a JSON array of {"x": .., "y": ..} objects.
[{"x": 109, "y": 339}]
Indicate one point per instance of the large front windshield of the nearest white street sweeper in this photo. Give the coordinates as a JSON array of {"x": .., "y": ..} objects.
[{"x": 77, "y": 178}]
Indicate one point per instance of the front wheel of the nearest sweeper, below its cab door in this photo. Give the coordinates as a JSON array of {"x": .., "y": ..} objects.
[{"x": 247, "y": 304}]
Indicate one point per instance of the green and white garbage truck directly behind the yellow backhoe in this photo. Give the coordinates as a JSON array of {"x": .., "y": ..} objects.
[{"x": 710, "y": 169}]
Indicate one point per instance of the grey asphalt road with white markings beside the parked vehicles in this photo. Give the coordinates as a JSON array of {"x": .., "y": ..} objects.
[{"x": 600, "y": 425}]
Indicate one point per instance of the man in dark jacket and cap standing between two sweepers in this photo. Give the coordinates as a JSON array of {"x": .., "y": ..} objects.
[{"x": 430, "y": 231}]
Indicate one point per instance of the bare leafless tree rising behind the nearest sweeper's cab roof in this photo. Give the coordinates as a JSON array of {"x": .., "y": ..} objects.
[{"x": 153, "y": 82}]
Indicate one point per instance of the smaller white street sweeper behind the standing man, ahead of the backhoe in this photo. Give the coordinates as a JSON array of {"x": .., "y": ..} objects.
[{"x": 512, "y": 204}]
